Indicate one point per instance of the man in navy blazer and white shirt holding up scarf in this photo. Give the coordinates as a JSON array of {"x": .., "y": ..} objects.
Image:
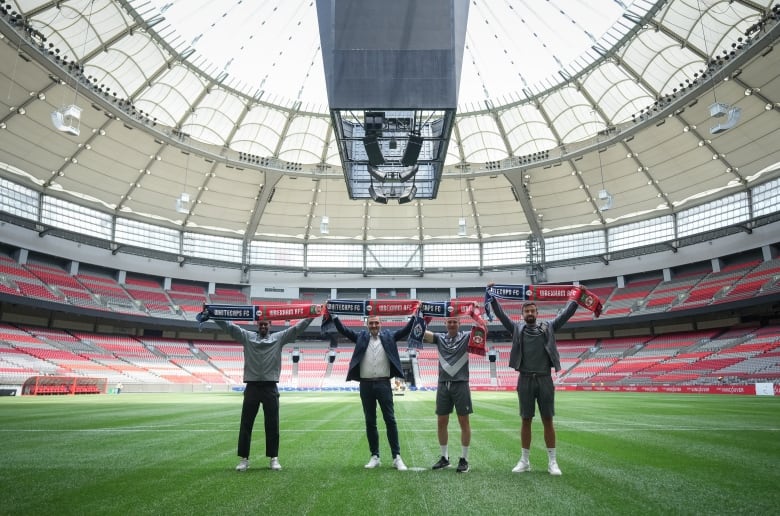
[{"x": 374, "y": 362}]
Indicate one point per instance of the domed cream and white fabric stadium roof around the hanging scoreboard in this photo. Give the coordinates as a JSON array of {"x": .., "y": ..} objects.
[{"x": 564, "y": 107}]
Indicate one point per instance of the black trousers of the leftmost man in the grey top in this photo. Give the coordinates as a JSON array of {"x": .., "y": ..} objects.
[{"x": 256, "y": 393}]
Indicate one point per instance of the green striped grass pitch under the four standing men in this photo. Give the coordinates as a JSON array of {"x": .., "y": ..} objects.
[{"x": 175, "y": 454}]
